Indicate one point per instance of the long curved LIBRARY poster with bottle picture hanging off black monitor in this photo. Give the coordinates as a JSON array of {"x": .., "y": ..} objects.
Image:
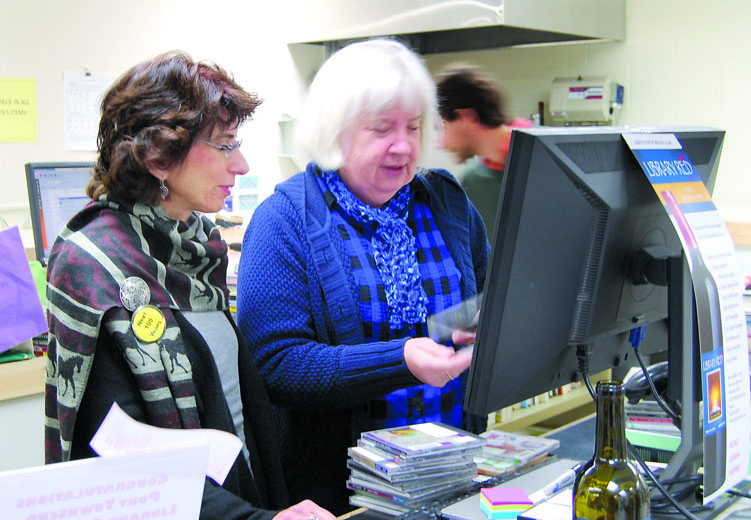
[{"x": 719, "y": 306}]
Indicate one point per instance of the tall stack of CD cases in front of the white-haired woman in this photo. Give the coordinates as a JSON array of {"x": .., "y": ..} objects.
[{"x": 397, "y": 470}]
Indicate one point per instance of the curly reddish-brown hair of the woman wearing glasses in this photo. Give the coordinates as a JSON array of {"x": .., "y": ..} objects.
[{"x": 152, "y": 114}]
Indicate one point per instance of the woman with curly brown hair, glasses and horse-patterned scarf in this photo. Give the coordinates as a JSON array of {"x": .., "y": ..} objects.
[{"x": 137, "y": 291}]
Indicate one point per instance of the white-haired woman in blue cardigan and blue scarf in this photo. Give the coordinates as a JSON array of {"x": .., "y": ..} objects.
[{"x": 342, "y": 265}]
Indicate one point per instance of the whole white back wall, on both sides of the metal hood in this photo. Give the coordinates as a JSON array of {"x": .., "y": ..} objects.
[{"x": 683, "y": 62}]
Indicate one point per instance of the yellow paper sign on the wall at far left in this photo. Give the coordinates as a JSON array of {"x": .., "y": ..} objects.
[{"x": 18, "y": 110}]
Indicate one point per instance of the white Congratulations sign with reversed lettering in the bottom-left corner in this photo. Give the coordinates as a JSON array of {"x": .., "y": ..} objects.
[{"x": 165, "y": 484}]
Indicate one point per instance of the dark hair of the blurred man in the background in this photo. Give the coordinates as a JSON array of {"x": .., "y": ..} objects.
[{"x": 466, "y": 86}]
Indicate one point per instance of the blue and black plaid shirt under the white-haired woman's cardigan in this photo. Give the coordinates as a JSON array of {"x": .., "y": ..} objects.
[{"x": 440, "y": 280}]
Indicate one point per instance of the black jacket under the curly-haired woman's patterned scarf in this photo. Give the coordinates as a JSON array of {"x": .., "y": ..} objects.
[{"x": 242, "y": 496}]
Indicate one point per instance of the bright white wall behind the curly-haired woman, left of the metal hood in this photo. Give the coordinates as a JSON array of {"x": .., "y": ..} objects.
[{"x": 44, "y": 38}]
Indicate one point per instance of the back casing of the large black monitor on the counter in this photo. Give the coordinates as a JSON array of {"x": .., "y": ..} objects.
[{"x": 575, "y": 210}]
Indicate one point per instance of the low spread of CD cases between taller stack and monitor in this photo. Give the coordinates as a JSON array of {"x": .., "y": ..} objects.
[{"x": 505, "y": 452}]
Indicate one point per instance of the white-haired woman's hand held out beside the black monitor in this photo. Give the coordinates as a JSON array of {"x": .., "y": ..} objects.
[{"x": 433, "y": 363}]
